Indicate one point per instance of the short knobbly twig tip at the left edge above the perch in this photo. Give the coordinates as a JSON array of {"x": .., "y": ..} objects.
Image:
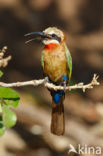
[{"x": 4, "y": 61}]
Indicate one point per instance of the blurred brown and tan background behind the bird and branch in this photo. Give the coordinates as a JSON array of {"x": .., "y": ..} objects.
[{"x": 82, "y": 22}]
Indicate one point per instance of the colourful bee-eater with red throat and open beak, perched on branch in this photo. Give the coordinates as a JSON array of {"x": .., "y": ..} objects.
[{"x": 56, "y": 63}]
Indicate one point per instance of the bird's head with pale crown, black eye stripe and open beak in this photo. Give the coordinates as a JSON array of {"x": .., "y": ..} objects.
[{"x": 51, "y": 35}]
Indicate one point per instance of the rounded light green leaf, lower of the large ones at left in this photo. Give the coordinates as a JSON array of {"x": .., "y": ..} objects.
[{"x": 9, "y": 117}]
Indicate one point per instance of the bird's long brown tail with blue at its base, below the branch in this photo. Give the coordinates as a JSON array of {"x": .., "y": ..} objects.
[{"x": 57, "y": 120}]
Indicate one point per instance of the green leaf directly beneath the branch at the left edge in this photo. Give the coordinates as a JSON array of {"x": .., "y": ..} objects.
[{"x": 8, "y": 93}]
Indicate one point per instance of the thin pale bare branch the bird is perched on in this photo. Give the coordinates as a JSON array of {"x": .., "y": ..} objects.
[{"x": 93, "y": 83}]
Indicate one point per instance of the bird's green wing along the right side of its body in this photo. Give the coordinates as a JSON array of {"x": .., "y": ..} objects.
[{"x": 69, "y": 61}]
